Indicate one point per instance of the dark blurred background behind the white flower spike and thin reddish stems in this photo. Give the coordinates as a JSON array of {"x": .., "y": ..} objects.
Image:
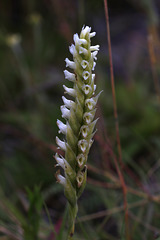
[{"x": 34, "y": 41}]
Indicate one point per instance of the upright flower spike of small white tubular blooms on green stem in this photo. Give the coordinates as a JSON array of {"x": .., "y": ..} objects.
[{"x": 79, "y": 115}]
